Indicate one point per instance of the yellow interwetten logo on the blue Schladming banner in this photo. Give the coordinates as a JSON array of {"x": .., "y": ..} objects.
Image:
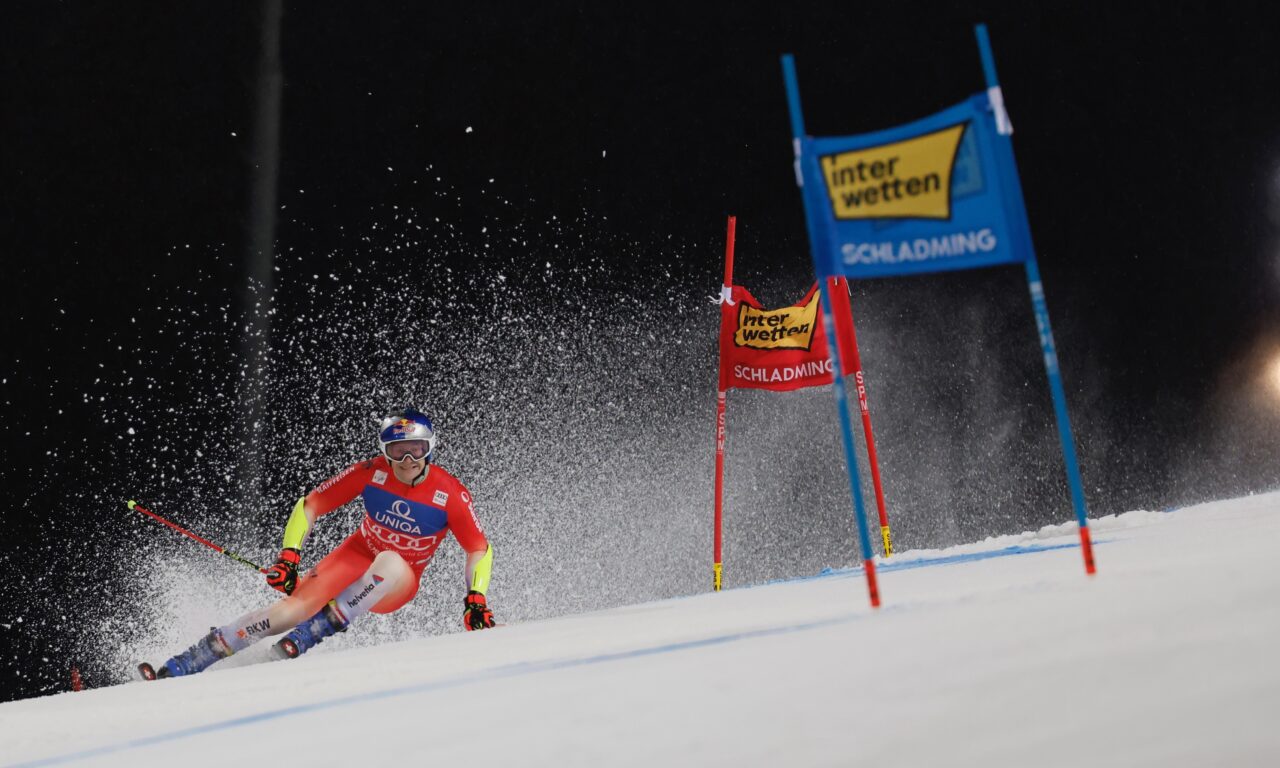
[{"x": 907, "y": 180}]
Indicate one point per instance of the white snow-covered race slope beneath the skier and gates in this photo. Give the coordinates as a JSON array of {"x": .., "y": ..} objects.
[{"x": 999, "y": 653}]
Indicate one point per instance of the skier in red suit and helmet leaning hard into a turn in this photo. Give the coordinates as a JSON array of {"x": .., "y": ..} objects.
[{"x": 410, "y": 506}]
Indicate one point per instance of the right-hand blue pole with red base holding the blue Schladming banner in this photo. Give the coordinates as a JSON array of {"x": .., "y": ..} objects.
[{"x": 1023, "y": 237}]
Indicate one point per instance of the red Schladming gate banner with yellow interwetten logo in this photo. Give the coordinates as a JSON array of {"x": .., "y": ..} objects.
[{"x": 785, "y": 349}]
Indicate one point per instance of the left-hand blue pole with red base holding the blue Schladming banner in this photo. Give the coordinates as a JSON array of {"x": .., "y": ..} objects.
[{"x": 838, "y": 378}]
